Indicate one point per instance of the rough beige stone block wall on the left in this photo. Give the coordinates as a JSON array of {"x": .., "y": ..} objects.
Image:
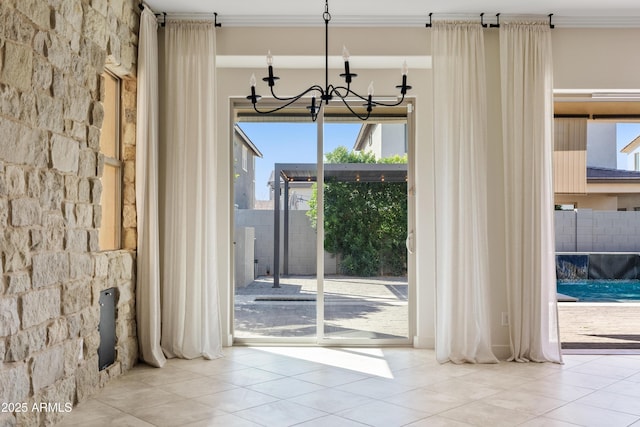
[{"x": 52, "y": 55}]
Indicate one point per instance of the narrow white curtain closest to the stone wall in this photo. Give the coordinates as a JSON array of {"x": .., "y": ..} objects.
[{"x": 148, "y": 258}]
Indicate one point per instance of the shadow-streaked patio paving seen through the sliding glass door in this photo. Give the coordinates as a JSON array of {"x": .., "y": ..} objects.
[{"x": 354, "y": 308}]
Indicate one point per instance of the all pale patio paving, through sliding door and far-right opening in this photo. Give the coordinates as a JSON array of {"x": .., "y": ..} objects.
[{"x": 377, "y": 308}]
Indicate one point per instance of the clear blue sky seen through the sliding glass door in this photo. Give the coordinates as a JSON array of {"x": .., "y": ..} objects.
[{"x": 292, "y": 143}]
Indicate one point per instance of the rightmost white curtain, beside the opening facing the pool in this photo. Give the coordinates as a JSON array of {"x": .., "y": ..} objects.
[{"x": 527, "y": 117}]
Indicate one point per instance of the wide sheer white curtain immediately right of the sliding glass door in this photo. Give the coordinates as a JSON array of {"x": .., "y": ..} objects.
[{"x": 462, "y": 317}]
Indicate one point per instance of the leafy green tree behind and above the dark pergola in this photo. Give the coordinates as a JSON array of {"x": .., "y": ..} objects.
[{"x": 365, "y": 222}]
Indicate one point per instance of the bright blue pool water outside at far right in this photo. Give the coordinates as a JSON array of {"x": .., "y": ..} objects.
[{"x": 601, "y": 290}]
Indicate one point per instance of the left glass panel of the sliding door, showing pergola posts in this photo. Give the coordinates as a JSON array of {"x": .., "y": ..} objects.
[{"x": 274, "y": 237}]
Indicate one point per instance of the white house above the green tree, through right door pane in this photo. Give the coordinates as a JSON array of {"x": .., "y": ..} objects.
[{"x": 382, "y": 139}]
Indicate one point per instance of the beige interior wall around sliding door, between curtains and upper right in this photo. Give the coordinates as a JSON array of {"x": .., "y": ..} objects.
[{"x": 575, "y": 68}]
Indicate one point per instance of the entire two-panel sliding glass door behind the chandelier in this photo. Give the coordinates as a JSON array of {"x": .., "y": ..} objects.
[{"x": 321, "y": 251}]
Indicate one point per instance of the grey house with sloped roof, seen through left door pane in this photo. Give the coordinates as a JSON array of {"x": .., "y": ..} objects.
[{"x": 244, "y": 154}]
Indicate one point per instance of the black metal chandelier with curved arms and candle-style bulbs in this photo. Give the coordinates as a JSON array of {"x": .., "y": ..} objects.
[{"x": 322, "y": 95}]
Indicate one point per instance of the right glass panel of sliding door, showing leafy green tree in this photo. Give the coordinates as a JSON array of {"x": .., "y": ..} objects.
[{"x": 365, "y": 284}]
